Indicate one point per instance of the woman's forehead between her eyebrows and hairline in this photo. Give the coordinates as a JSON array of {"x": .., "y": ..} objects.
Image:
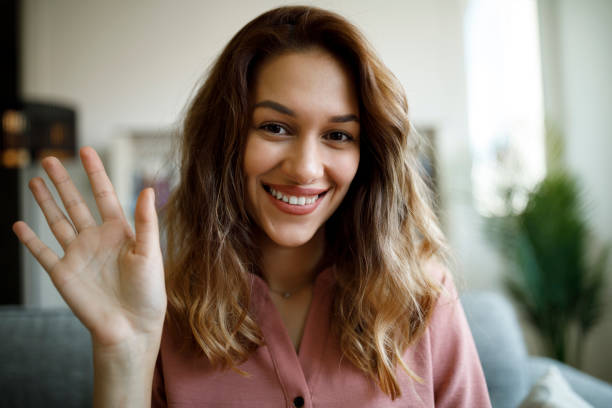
[{"x": 301, "y": 78}]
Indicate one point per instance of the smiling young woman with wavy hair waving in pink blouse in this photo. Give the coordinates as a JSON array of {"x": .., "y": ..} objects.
[{"x": 304, "y": 265}]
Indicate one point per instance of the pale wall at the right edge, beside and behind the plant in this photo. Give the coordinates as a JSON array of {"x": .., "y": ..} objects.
[{"x": 578, "y": 59}]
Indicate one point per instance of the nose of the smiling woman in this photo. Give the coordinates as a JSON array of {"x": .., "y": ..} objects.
[{"x": 304, "y": 163}]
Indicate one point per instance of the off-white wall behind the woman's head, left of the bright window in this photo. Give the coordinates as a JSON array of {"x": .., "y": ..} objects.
[{"x": 134, "y": 63}]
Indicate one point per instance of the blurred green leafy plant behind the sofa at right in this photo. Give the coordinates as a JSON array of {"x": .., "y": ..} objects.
[{"x": 555, "y": 275}]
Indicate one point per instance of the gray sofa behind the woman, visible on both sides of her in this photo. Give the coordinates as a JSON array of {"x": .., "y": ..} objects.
[{"x": 45, "y": 357}]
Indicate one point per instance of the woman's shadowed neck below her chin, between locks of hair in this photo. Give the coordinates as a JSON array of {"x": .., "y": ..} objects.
[{"x": 292, "y": 269}]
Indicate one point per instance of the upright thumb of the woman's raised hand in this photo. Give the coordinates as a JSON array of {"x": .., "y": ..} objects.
[{"x": 145, "y": 222}]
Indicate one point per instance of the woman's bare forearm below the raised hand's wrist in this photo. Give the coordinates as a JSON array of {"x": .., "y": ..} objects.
[{"x": 123, "y": 377}]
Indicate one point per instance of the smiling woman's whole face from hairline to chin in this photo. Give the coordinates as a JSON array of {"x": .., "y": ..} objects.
[{"x": 302, "y": 149}]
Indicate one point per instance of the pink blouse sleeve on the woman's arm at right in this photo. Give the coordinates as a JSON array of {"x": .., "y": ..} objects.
[{"x": 458, "y": 377}]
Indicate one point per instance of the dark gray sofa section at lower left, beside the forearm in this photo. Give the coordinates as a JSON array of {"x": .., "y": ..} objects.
[{"x": 45, "y": 358}]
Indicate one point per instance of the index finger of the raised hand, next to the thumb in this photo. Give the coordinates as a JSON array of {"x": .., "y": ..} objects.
[{"x": 101, "y": 186}]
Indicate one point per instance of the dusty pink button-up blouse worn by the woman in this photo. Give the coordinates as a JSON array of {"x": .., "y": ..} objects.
[{"x": 444, "y": 357}]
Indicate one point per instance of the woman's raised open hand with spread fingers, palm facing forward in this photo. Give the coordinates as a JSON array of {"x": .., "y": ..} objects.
[{"x": 111, "y": 277}]
